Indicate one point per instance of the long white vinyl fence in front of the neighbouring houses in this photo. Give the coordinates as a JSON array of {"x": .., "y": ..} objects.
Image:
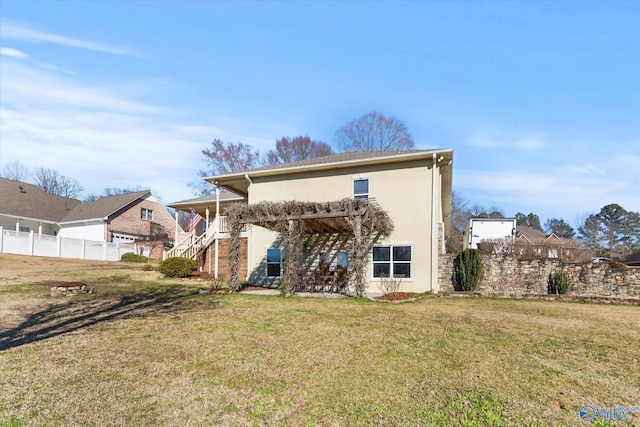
[{"x": 14, "y": 242}]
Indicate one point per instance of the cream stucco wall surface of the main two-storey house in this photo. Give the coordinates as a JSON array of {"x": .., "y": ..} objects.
[{"x": 404, "y": 190}]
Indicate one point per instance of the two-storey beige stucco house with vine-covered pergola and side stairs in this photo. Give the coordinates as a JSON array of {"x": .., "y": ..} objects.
[{"x": 412, "y": 187}]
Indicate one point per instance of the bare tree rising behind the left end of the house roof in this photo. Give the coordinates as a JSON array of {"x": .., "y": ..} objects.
[{"x": 222, "y": 158}]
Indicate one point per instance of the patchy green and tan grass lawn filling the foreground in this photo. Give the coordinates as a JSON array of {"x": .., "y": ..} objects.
[{"x": 154, "y": 352}]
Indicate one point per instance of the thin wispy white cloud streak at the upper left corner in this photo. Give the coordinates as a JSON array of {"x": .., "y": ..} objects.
[{"x": 22, "y": 33}]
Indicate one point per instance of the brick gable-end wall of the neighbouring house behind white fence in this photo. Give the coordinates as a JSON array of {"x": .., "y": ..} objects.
[{"x": 128, "y": 220}]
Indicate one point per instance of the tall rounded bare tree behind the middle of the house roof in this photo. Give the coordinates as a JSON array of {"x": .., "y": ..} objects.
[{"x": 374, "y": 132}]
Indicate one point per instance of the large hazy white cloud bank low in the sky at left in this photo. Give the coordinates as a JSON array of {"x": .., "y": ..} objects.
[{"x": 106, "y": 135}]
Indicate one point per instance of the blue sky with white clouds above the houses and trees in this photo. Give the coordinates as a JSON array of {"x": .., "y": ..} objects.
[{"x": 540, "y": 101}]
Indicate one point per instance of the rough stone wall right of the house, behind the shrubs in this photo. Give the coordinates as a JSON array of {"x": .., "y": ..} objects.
[{"x": 505, "y": 275}]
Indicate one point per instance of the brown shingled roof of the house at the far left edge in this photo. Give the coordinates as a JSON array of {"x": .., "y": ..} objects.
[{"x": 24, "y": 200}]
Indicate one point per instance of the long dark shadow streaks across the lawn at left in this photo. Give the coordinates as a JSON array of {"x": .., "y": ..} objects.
[{"x": 77, "y": 314}]
